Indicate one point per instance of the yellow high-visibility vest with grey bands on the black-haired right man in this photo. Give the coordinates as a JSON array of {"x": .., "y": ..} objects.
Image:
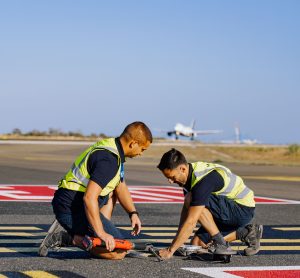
[{"x": 234, "y": 187}]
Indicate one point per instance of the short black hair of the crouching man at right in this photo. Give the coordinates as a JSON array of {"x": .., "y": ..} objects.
[{"x": 171, "y": 160}]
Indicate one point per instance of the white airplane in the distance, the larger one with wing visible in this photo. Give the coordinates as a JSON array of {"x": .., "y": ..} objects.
[{"x": 189, "y": 131}]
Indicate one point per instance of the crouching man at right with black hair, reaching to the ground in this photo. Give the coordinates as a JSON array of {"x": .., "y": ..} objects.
[{"x": 218, "y": 200}]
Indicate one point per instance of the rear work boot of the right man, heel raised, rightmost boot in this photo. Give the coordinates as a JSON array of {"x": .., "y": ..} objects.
[{"x": 252, "y": 239}]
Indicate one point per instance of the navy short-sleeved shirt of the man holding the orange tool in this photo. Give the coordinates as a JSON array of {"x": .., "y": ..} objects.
[{"x": 102, "y": 166}]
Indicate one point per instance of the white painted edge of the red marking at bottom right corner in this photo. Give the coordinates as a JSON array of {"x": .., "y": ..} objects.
[{"x": 219, "y": 272}]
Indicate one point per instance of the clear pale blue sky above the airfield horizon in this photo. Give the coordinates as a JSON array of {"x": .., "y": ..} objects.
[{"x": 95, "y": 66}]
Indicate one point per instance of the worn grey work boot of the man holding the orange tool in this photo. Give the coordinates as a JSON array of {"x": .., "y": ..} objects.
[{"x": 56, "y": 237}]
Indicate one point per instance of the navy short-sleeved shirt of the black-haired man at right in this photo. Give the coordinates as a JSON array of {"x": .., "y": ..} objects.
[{"x": 201, "y": 191}]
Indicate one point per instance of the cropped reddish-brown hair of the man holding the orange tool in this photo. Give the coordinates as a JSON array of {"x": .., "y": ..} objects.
[{"x": 137, "y": 131}]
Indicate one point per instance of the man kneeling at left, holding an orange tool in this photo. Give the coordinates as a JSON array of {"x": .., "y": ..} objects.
[{"x": 86, "y": 196}]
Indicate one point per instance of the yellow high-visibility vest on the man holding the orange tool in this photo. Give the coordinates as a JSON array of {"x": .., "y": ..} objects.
[{"x": 78, "y": 177}]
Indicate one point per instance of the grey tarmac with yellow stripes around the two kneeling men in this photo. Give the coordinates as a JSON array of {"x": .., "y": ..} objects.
[{"x": 23, "y": 224}]
